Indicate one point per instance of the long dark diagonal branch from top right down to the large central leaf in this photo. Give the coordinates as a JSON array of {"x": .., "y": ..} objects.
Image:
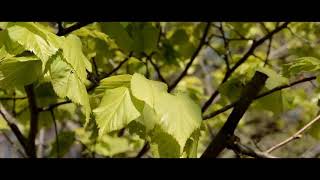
[{"x": 254, "y": 45}]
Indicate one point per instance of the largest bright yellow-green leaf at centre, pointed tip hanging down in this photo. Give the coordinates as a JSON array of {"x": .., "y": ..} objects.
[{"x": 180, "y": 125}]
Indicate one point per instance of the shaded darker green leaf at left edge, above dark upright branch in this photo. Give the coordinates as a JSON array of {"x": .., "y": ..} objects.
[{"x": 13, "y": 71}]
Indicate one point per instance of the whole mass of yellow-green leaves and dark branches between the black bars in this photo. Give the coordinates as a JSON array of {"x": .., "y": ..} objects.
[{"x": 160, "y": 89}]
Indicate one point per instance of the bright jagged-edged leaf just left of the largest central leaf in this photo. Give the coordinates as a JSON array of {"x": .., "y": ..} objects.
[{"x": 115, "y": 111}]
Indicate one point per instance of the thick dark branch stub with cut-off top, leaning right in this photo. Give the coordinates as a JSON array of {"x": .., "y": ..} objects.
[{"x": 225, "y": 135}]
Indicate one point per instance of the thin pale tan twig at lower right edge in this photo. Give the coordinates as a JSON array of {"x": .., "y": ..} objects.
[{"x": 296, "y": 135}]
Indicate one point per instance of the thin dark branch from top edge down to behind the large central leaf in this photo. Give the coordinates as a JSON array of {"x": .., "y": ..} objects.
[{"x": 193, "y": 57}]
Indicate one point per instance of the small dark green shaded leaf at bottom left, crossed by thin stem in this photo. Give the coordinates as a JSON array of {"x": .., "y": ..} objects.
[{"x": 66, "y": 140}]
